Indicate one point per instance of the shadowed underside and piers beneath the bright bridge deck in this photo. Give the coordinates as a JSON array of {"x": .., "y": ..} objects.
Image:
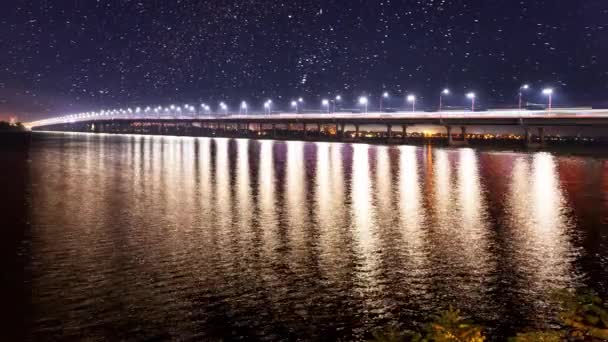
[{"x": 527, "y": 131}]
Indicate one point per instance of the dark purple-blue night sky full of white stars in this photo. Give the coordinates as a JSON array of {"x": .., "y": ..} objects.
[{"x": 67, "y": 56}]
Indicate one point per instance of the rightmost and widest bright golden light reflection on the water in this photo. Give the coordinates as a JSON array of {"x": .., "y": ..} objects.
[{"x": 541, "y": 250}]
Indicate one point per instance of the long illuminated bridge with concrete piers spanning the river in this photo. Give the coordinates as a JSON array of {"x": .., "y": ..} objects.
[{"x": 329, "y": 125}]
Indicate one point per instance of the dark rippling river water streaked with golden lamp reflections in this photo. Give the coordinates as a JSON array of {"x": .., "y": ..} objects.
[{"x": 138, "y": 237}]
